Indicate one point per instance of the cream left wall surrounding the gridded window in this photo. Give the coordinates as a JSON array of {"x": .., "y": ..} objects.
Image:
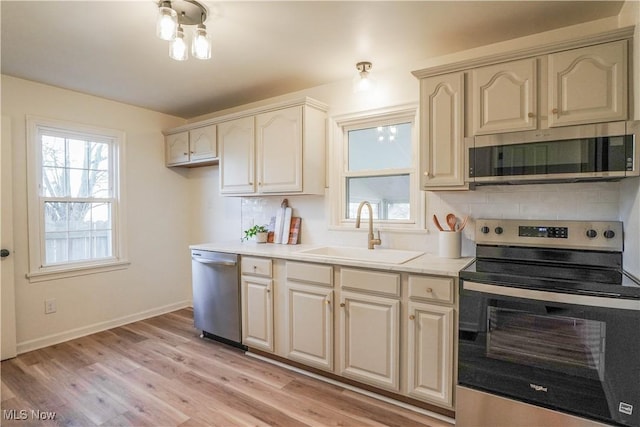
[{"x": 157, "y": 210}]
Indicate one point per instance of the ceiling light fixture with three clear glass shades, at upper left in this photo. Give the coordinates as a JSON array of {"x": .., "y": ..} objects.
[{"x": 172, "y": 16}]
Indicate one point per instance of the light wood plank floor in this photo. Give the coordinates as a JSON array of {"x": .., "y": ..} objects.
[{"x": 157, "y": 372}]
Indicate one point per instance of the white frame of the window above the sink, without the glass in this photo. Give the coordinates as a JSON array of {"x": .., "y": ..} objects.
[{"x": 338, "y": 167}]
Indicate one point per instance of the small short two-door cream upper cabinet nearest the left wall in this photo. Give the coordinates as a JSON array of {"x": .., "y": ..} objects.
[{"x": 192, "y": 147}]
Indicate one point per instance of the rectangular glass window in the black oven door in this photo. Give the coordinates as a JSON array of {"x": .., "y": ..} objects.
[{"x": 546, "y": 341}]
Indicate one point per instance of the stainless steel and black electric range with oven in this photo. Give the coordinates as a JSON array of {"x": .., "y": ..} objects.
[{"x": 549, "y": 327}]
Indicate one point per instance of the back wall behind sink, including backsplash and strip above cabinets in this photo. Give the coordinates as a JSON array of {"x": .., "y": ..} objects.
[{"x": 595, "y": 201}]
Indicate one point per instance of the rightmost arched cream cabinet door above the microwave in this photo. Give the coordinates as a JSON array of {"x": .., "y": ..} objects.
[{"x": 588, "y": 85}]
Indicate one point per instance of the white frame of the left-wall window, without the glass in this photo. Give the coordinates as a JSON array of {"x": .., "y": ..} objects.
[{"x": 37, "y": 271}]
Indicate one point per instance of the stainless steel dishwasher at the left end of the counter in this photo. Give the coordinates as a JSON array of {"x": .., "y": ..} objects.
[{"x": 216, "y": 296}]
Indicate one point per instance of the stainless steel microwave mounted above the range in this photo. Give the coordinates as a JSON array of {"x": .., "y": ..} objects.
[{"x": 592, "y": 152}]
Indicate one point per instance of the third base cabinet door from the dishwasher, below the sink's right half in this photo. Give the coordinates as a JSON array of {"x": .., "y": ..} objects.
[{"x": 369, "y": 343}]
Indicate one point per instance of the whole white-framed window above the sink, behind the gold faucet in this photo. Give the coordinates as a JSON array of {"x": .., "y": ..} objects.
[{"x": 377, "y": 154}]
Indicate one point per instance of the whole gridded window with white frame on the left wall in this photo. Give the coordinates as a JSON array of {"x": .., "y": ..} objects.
[{"x": 74, "y": 197}]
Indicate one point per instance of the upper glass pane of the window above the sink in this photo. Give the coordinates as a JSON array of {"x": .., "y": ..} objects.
[{"x": 378, "y": 148}]
